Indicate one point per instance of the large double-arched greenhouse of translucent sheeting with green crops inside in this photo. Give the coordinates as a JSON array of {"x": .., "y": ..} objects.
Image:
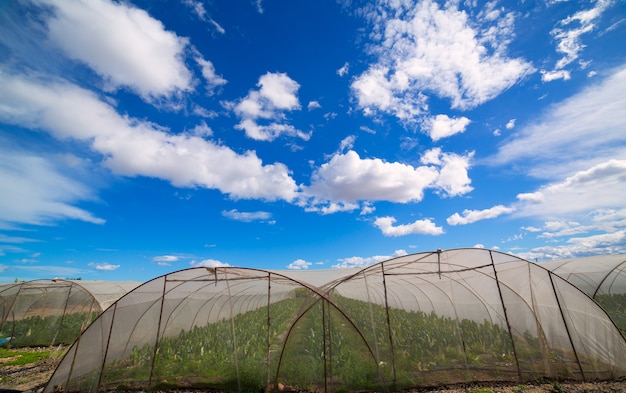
[{"x": 418, "y": 320}]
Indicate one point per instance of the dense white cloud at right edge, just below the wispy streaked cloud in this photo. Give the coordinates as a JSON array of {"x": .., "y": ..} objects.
[{"x": 599, "y": 187}]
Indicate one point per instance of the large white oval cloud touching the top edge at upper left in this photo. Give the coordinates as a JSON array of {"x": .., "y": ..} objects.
[{"x": 123, "y": 44}]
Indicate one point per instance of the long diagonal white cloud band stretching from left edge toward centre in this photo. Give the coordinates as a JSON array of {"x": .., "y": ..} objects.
[{"x": 132, "y": 147}]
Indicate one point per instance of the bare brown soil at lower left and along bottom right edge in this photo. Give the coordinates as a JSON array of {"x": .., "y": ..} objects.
[{"x": 33, "y": 378}]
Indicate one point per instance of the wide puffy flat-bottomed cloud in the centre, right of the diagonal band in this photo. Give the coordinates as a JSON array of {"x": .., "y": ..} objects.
[{"x": 347, "y": 178}]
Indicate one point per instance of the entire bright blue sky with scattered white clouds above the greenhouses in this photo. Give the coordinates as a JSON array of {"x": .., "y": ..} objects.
[{"x": 142, "y": 137}]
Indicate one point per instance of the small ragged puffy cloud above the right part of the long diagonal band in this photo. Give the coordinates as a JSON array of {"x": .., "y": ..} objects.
[{"x": 262, "y": 111}]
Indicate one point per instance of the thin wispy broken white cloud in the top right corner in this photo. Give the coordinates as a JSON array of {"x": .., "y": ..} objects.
[{"x": 568, "y": 38}]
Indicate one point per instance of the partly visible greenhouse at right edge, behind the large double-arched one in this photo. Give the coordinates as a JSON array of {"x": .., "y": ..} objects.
[{"x": 602, "y": 277}]
